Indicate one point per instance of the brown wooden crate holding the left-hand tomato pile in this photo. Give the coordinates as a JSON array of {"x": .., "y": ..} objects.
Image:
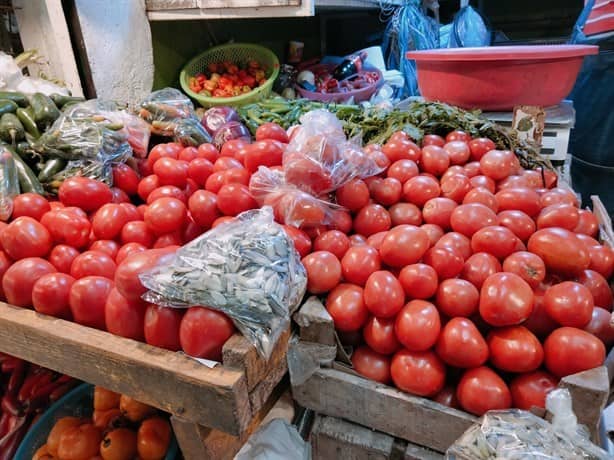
[{"x": 223, "y": 404}]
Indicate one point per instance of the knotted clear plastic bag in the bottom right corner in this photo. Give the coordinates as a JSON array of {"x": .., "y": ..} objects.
[{"x": 519, "y": 435}]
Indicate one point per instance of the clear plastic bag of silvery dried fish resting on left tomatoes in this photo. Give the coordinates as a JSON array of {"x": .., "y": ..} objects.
[{"x": 247, "y": 268}]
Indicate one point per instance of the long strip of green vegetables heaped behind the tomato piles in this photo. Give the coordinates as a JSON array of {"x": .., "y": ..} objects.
[{"x": 375, "y": 125}]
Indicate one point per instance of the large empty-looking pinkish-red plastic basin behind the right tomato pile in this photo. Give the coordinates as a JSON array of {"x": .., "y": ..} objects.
[{"x": 497, "y": 78}]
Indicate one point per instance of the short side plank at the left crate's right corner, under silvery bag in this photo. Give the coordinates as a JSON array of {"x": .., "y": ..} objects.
[{"x": 239, "y": 354}]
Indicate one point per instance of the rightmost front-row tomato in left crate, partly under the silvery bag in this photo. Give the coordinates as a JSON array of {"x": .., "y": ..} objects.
[{"x": 203, "y": 332}]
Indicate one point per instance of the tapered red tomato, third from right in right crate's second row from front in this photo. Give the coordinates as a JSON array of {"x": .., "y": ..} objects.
[{"x": 460, "y": 344}]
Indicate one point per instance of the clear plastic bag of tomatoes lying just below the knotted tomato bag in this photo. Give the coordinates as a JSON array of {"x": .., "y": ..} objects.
[{"x": 291, "y": 206}]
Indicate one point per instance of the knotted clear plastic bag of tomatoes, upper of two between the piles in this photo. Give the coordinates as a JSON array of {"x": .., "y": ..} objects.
[{"x": 319, "y": 159}]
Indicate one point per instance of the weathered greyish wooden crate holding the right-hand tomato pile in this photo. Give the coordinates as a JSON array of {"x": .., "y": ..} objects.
[{"x": 335, "y": 390}]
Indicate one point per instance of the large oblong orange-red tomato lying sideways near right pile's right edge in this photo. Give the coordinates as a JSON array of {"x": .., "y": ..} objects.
[{"x": 561, "y": 251}]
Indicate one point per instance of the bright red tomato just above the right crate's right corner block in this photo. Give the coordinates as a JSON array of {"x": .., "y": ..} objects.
[{"x": 569, "y": 350}]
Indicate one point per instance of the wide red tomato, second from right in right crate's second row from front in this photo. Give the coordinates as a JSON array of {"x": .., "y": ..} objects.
[{"x": 515, "y": 349}]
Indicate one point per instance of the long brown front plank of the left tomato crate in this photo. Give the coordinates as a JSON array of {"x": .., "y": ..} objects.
[{"x": 173, "y": 382}]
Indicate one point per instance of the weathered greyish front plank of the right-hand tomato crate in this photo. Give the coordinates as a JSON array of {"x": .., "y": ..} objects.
[{"x": 383, "y": 408}]
